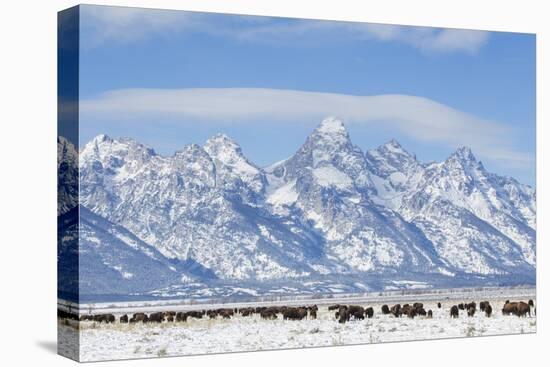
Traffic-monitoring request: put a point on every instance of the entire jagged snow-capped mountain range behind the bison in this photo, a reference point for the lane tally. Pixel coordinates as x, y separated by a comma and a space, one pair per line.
329, 218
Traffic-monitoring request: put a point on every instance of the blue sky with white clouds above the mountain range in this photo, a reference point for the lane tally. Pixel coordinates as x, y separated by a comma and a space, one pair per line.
170, 78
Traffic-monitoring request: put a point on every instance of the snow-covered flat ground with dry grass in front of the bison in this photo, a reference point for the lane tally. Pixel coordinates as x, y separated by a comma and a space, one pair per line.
124, 341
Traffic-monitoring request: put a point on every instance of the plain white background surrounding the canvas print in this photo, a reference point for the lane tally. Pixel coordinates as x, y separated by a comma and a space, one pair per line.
28, 180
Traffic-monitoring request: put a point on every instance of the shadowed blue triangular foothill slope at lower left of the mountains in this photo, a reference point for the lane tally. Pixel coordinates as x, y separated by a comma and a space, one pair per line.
111, 260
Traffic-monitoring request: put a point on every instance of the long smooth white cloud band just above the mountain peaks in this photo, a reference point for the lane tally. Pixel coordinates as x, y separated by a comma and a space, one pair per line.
419, 118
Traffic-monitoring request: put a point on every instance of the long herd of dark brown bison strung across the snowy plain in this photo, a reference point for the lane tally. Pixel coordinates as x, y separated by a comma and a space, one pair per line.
343, 313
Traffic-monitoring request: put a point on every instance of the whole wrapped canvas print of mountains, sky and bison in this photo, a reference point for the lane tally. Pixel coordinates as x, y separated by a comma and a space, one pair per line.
233, 183
